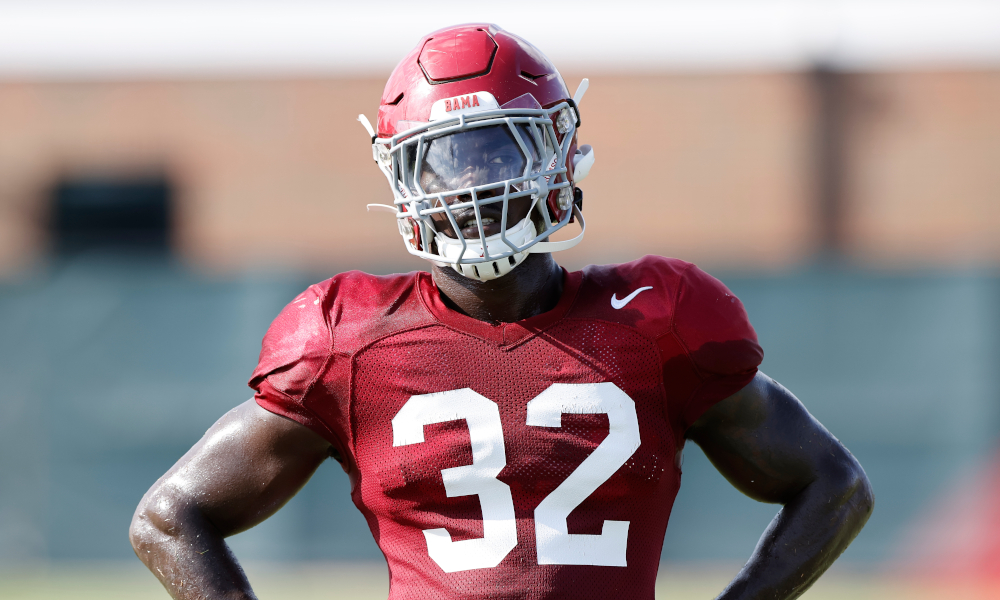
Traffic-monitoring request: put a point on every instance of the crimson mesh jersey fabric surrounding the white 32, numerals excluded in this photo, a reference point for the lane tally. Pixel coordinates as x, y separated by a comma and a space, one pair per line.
671, 369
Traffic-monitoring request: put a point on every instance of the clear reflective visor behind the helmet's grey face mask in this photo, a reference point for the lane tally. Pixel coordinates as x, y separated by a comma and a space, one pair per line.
478, 156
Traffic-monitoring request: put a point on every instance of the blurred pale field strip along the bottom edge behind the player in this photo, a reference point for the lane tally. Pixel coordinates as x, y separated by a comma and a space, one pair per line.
365, 581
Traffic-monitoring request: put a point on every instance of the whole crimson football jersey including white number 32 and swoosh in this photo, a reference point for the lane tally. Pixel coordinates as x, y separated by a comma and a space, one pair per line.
534, 459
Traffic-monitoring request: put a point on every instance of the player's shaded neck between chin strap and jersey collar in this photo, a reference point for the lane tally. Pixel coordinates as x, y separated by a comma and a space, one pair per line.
532, 288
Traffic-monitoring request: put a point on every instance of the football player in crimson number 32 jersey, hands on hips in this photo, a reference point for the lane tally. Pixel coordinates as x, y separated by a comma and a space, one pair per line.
510, 429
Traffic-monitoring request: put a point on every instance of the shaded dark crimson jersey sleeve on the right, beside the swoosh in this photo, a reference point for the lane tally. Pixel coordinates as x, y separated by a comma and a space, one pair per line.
713, 328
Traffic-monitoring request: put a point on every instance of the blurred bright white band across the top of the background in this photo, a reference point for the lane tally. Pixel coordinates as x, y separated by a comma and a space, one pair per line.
137, 38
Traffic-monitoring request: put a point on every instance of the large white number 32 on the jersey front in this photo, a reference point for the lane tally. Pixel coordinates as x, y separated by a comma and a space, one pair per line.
555, 545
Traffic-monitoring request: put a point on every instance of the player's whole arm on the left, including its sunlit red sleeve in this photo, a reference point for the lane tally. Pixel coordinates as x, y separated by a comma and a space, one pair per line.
249, 464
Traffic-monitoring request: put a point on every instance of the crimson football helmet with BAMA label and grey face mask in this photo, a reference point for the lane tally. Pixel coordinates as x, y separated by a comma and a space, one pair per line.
476, 128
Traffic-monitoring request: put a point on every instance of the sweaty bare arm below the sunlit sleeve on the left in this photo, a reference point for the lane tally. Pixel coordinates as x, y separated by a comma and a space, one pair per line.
243, 470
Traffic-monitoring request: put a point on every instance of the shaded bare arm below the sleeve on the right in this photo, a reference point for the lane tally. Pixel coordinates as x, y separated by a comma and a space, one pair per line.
764, 441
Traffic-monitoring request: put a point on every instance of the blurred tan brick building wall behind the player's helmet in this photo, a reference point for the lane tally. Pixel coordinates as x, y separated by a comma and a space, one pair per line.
731, 170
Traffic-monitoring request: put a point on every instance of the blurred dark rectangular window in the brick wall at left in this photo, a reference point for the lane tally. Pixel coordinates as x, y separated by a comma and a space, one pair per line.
106, 214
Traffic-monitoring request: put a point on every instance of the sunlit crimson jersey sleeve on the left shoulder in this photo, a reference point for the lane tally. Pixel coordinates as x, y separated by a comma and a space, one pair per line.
293, 355
